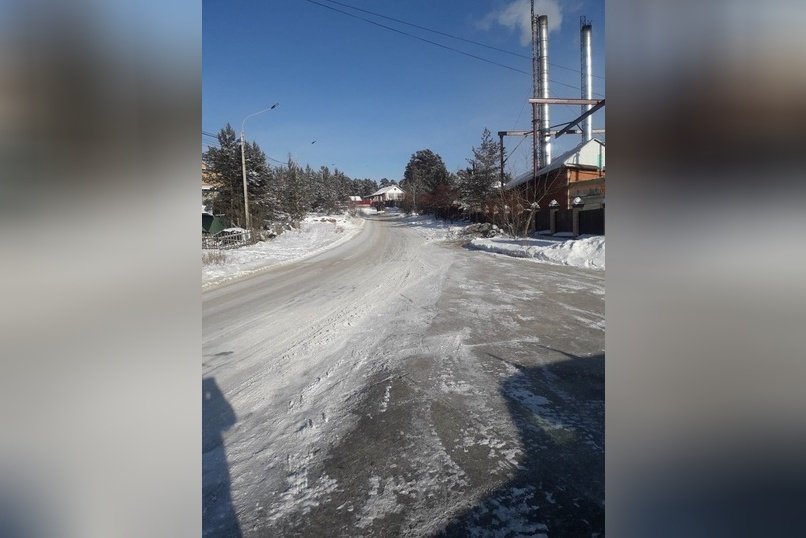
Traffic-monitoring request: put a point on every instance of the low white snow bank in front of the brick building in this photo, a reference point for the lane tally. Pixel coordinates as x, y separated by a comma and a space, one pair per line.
588, 252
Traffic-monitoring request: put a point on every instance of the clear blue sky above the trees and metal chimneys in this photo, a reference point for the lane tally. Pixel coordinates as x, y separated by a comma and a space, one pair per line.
371, 97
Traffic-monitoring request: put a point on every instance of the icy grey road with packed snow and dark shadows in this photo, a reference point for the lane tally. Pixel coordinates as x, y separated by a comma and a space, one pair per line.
396, 386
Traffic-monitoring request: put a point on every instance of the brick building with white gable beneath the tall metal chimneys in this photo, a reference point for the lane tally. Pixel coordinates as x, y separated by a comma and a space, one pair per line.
579, 171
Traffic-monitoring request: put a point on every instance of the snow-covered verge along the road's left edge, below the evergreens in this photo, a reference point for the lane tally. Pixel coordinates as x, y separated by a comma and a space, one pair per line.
315, 234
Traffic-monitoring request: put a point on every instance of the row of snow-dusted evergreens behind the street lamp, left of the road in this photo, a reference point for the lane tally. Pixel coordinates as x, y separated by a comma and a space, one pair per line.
276, 193
